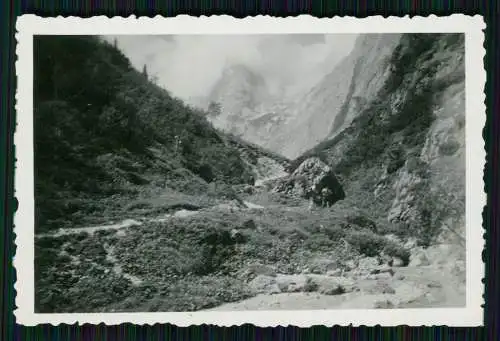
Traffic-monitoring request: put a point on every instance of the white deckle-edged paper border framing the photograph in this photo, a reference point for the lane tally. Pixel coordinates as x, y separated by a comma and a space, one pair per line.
471, 315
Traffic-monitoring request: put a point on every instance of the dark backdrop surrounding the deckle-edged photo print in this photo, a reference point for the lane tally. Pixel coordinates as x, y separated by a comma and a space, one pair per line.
9, 11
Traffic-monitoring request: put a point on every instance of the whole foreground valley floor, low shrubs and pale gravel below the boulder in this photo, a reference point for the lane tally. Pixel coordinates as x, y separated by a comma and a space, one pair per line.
262, 252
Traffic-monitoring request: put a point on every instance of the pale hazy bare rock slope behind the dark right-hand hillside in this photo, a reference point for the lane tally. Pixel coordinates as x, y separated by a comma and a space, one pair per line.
331, 103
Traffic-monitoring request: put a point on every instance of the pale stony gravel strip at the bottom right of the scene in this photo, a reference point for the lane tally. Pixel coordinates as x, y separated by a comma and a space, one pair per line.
433, 285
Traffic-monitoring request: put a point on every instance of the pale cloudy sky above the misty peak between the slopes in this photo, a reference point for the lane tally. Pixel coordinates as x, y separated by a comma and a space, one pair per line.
188, 65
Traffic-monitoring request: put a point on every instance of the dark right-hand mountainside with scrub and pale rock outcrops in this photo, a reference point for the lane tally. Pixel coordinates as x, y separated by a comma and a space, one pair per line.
402, 156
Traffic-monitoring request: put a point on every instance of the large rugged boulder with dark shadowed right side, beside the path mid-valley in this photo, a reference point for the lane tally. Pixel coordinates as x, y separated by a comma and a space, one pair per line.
313, 179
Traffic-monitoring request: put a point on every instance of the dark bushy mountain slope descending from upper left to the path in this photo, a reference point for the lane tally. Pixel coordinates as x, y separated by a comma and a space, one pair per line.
103, 129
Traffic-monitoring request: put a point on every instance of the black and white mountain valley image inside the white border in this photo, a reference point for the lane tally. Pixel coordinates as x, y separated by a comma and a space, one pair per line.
250, 172
